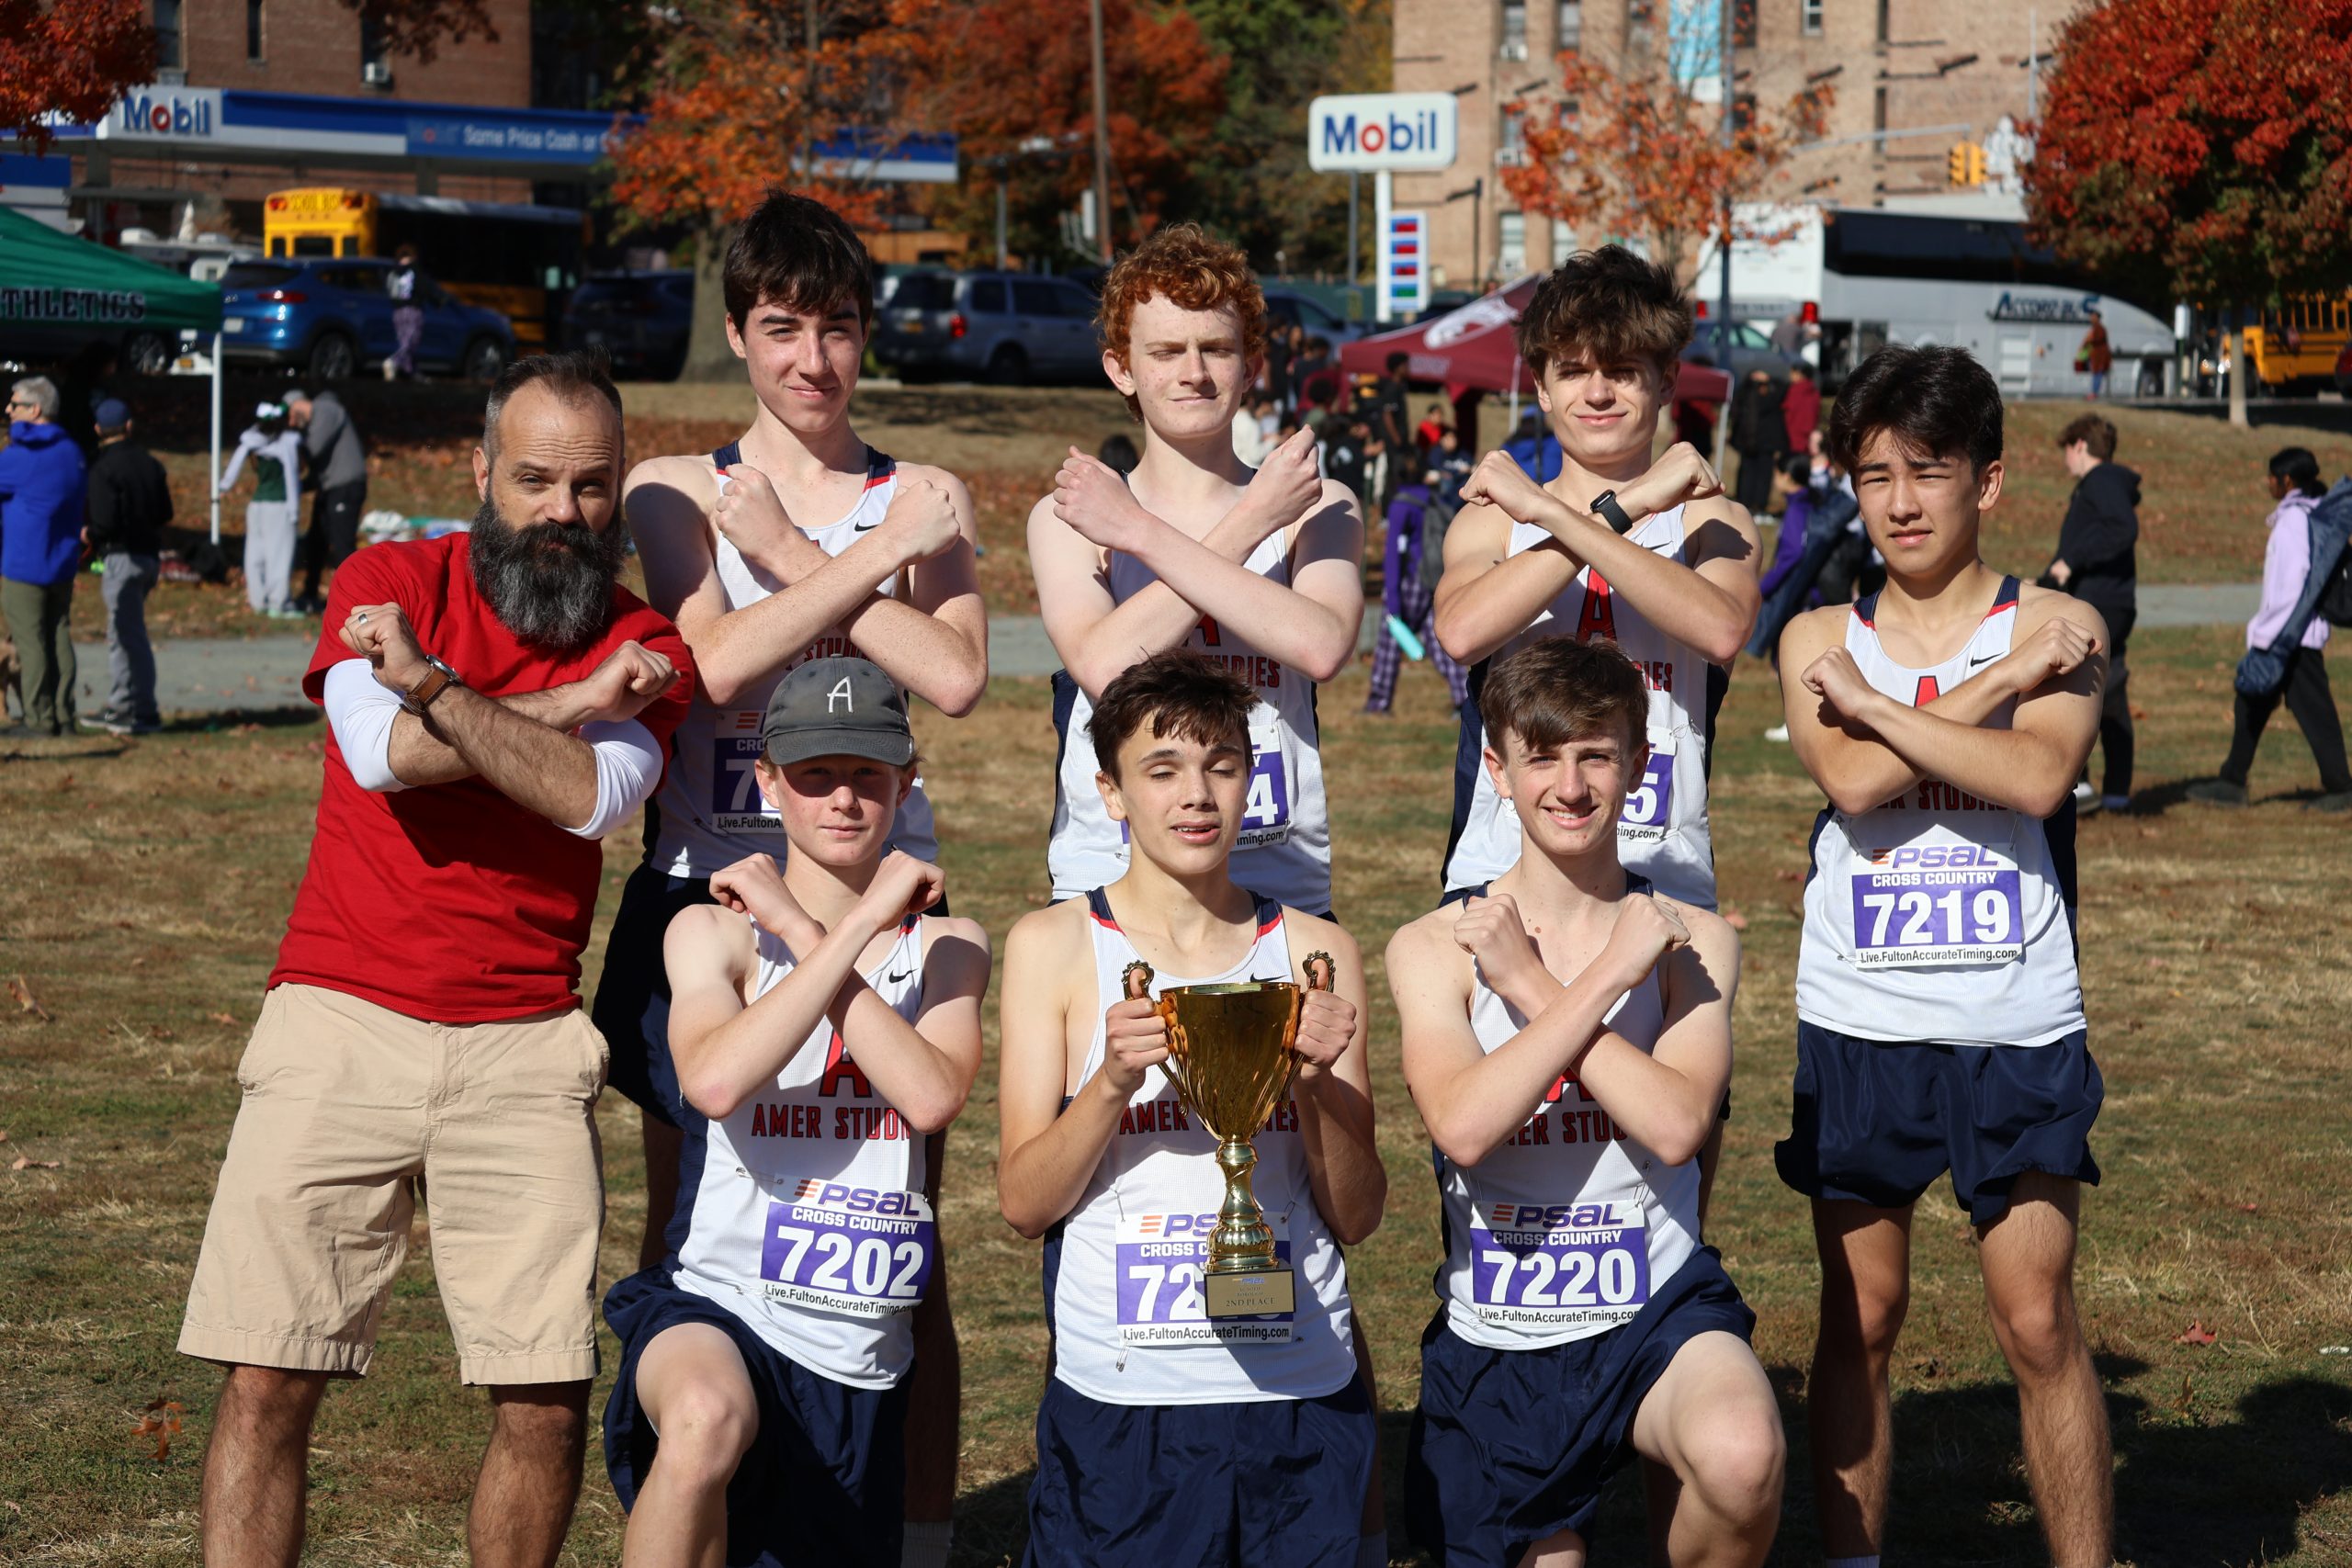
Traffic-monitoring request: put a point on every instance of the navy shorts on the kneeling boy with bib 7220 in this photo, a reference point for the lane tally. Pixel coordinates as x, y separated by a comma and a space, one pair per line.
1514, 1447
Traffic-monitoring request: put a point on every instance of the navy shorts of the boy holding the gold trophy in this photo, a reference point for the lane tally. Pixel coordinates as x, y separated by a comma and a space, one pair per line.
1165, 1487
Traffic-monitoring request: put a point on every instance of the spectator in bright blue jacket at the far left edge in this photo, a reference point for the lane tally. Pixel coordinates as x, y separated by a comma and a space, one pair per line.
44, 488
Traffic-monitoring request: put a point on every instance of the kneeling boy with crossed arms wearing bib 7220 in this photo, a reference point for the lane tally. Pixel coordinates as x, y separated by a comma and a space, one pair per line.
1568, 1040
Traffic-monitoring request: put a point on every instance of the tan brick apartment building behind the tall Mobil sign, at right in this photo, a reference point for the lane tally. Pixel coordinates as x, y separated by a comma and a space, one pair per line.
1899, 69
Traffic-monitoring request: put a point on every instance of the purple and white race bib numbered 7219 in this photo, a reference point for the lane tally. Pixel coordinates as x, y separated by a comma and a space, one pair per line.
1937, 902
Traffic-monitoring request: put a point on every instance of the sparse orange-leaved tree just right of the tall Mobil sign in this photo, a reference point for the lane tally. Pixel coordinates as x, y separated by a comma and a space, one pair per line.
1629, 149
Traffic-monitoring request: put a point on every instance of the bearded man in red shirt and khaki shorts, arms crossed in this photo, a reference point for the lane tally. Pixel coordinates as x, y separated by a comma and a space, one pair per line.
497, 704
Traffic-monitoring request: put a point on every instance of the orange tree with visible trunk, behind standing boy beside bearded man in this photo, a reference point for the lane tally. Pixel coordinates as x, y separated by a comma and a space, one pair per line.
744, 98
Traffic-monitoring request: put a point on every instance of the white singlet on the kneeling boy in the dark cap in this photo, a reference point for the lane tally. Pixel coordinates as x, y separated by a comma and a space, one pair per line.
803, 1212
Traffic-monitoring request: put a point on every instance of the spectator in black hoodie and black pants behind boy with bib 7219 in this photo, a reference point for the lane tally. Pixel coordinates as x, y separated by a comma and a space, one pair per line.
2097, 563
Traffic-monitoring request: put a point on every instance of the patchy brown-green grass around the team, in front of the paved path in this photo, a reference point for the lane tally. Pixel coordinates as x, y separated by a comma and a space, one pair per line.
149, 885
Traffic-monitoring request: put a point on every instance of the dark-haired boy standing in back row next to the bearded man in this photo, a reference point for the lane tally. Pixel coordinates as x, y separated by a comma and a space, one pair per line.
794, 542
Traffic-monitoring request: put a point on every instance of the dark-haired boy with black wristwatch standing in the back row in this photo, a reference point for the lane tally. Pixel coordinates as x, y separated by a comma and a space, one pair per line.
1648, 556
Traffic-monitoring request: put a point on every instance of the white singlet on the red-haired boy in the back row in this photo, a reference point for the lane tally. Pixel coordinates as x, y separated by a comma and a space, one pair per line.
1285, 845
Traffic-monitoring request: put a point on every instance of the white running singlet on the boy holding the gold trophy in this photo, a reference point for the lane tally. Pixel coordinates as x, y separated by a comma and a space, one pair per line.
1123, 1273
